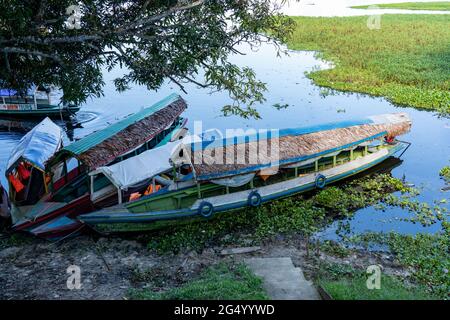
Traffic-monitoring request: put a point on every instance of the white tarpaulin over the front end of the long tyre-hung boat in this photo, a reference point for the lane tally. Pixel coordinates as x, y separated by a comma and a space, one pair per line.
139, 168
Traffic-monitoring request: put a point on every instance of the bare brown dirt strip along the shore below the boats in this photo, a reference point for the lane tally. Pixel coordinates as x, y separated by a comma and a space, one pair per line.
111, 267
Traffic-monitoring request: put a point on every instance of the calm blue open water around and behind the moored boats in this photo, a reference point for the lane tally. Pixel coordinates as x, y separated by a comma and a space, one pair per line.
307, 105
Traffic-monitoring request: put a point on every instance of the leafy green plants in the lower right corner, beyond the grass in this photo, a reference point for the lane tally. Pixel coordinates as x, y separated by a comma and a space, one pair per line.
426, 255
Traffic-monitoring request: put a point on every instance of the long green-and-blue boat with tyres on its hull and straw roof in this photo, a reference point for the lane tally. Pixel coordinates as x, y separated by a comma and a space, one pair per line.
188, 183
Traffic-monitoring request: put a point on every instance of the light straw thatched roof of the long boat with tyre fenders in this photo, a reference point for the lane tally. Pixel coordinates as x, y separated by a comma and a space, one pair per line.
291, 148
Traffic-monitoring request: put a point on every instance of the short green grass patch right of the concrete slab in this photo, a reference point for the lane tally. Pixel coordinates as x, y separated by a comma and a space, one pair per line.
347, 283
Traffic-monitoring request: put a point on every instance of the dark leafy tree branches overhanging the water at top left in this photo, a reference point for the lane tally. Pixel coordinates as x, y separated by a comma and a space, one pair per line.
68, 44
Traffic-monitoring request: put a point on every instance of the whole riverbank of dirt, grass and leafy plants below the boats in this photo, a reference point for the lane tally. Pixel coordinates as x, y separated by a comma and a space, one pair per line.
189, 261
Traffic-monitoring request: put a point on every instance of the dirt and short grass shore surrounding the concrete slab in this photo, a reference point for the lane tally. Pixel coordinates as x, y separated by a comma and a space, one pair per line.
125, 269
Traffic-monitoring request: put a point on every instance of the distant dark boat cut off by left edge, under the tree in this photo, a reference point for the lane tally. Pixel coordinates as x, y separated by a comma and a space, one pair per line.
34, 104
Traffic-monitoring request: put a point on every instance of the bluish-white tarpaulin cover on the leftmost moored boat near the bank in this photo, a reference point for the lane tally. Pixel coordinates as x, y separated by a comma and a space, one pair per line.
38, 145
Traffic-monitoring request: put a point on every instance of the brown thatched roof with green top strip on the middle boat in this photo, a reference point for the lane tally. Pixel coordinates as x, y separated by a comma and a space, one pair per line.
102, 147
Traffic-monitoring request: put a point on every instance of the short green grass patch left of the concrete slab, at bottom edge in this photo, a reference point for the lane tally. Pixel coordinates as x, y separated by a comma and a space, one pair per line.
219, 282
